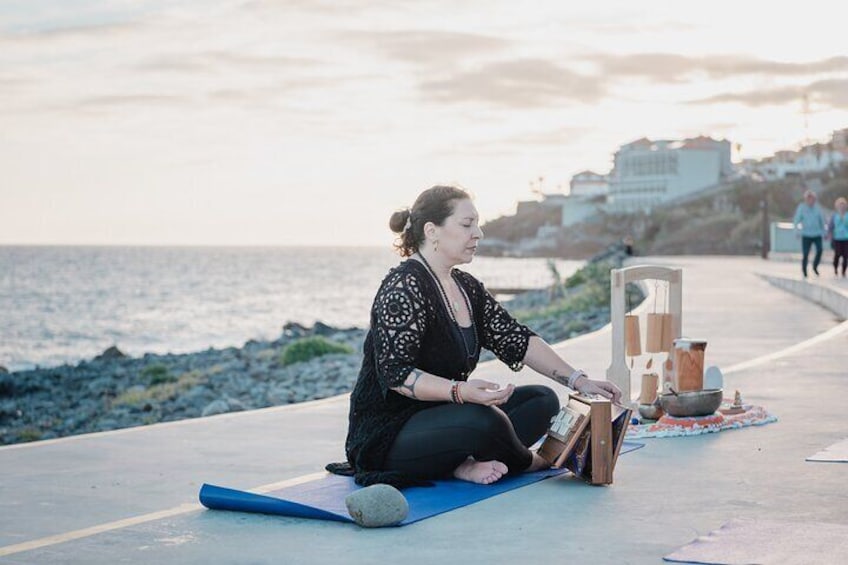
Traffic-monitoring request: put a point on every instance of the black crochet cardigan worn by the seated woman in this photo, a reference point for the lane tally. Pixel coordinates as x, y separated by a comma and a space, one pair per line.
411, 328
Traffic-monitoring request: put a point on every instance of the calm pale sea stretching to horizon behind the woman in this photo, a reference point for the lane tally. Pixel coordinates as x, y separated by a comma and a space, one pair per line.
64, 304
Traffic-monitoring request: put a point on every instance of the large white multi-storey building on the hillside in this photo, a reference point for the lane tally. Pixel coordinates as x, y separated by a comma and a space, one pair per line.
646, 173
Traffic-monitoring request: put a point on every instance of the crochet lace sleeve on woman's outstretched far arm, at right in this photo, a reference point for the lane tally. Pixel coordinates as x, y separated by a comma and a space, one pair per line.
502, 334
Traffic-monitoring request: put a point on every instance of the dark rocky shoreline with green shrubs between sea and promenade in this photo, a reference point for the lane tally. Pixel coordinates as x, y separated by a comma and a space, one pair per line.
113, 391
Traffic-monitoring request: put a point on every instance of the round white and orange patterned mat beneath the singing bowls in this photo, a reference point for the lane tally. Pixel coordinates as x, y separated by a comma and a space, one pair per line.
669, 426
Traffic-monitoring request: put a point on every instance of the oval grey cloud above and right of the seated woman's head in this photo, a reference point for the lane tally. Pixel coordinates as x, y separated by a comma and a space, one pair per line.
520, 83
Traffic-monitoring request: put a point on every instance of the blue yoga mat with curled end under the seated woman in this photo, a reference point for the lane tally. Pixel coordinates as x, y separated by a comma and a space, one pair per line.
323, 498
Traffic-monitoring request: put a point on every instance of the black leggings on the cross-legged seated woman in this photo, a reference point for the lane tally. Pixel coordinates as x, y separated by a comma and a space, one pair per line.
437, 440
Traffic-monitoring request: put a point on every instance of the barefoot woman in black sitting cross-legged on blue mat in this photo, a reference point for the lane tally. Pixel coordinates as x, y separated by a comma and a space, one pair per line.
416, 412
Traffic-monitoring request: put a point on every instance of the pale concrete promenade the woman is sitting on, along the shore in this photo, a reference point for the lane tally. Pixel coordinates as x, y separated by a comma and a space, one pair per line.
130, 496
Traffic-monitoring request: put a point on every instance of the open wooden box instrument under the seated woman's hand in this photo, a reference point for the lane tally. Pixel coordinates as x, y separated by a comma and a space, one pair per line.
586, 437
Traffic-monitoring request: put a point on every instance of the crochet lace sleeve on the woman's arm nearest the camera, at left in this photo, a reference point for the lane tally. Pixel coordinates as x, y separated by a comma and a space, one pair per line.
399, 320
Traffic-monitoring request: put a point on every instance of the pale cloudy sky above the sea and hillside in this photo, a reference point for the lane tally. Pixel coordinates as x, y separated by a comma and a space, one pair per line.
308, 122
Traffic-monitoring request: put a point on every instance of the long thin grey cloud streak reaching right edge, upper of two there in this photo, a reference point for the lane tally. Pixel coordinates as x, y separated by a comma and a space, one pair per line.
669, 67
